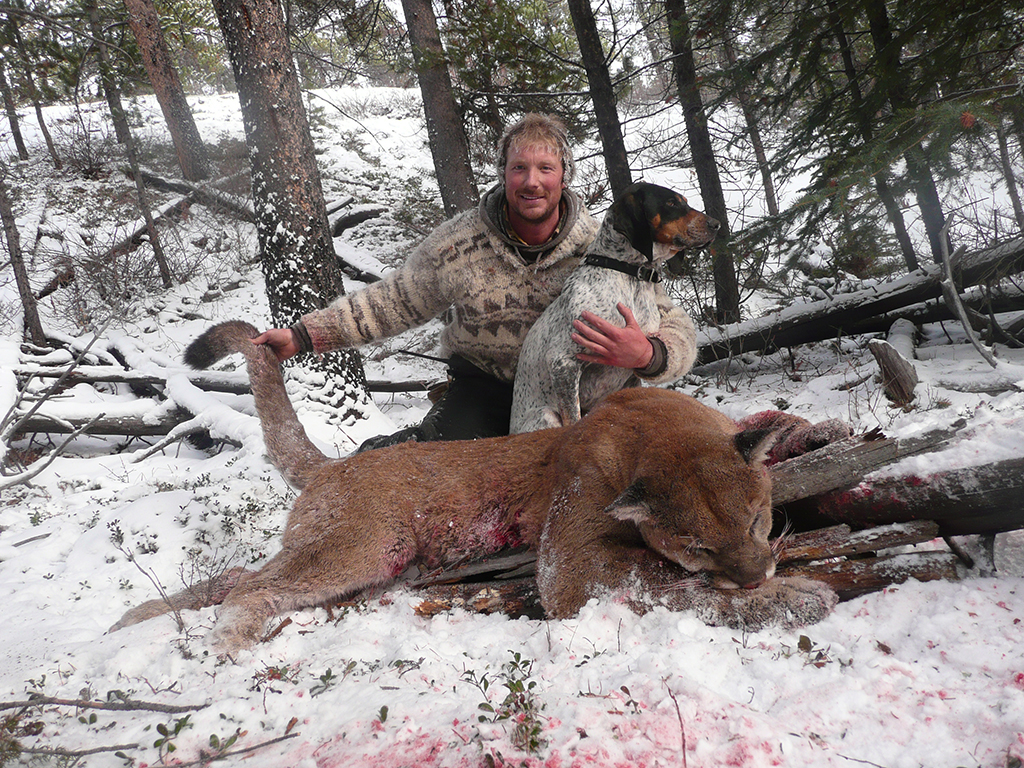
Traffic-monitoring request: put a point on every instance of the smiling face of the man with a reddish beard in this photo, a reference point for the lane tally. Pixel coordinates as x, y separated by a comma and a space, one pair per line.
533, 187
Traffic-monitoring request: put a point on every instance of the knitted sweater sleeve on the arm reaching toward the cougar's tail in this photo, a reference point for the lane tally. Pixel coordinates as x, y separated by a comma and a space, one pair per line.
406, 298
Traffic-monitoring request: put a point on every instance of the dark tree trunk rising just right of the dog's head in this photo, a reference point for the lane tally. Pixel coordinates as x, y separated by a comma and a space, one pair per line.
727, 286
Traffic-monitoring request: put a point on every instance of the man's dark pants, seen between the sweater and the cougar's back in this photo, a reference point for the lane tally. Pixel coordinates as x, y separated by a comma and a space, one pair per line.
477, 405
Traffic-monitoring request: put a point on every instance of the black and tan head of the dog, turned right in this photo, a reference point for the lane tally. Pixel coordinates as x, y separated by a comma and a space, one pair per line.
648, 215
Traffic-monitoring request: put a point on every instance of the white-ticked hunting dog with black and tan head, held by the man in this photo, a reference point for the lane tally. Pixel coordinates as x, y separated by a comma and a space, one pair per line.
646, 227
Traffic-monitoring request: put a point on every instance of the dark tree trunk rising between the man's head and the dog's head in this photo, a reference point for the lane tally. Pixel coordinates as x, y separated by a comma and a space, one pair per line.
603, 95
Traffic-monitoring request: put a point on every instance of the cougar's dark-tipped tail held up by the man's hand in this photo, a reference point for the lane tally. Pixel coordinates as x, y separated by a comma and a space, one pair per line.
287, 443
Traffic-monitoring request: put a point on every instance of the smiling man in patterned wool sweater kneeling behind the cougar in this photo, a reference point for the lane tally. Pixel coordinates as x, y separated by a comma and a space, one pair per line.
494, 270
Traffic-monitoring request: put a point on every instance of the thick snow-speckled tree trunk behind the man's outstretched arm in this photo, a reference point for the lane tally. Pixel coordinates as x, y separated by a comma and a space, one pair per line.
296, 250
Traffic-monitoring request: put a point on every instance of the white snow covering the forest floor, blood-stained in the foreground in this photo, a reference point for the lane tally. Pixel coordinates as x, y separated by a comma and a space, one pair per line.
918, 675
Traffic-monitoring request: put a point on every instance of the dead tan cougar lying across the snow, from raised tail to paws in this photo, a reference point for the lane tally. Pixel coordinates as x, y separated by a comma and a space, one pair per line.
649, 489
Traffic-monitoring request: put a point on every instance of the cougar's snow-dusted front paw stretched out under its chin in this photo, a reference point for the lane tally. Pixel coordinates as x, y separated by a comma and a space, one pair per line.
779, 603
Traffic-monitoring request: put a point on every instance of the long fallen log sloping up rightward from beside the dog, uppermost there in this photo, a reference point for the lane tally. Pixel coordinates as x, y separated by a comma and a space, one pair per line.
831, 318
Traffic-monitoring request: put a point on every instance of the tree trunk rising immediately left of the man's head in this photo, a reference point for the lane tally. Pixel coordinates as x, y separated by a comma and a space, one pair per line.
446, 133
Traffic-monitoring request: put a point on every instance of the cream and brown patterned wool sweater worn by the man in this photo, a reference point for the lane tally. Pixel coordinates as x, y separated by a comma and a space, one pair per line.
471, 268
